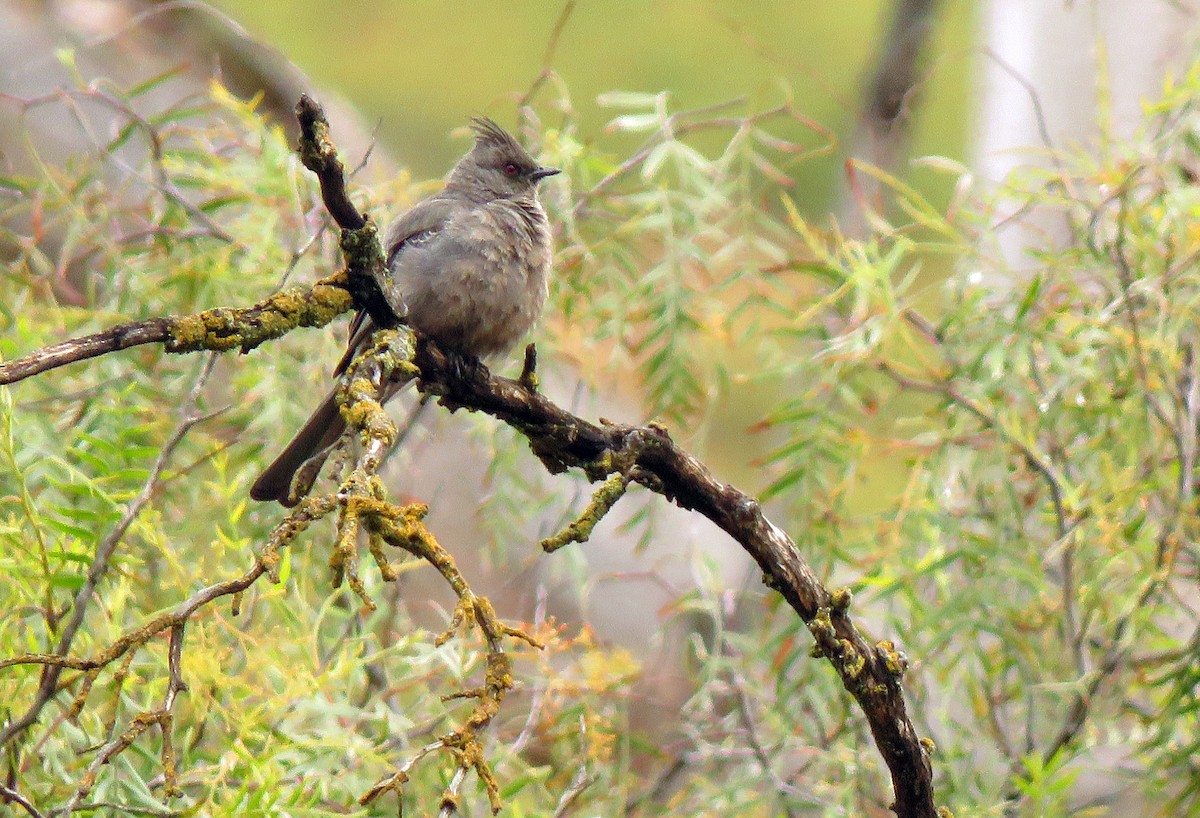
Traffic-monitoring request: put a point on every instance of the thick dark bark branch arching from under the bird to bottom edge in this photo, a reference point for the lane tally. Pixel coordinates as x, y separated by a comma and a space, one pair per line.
872, 673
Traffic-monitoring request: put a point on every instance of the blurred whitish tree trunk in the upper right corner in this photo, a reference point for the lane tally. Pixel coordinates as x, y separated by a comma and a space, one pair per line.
1057, 74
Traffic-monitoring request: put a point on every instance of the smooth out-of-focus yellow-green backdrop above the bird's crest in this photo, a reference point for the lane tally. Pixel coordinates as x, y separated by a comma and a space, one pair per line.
423, 68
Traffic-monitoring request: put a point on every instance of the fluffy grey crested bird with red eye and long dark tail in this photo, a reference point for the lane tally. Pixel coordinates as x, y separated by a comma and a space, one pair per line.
470, 268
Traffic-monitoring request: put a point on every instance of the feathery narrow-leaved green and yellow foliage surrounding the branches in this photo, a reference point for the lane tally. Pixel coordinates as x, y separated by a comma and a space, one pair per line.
1039, 570
